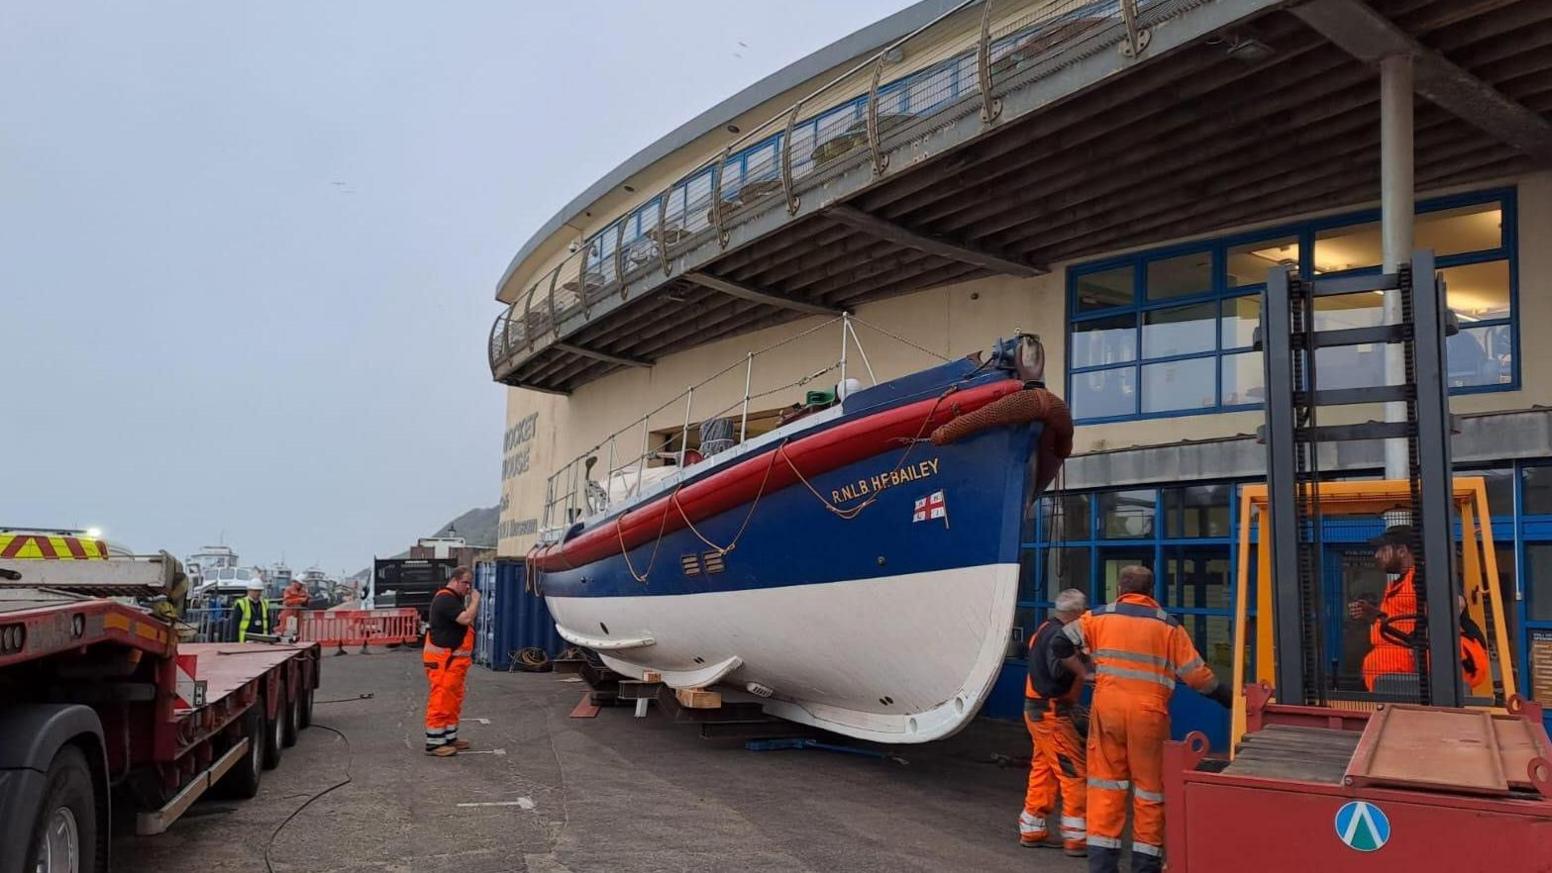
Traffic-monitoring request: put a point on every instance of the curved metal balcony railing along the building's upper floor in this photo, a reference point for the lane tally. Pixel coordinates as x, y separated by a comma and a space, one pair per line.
960, 63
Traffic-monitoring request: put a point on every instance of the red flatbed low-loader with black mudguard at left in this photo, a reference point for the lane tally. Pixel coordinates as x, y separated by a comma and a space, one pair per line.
108, 717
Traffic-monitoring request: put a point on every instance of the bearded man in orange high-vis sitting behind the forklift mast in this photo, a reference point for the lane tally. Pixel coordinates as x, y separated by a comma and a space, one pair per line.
1398, 611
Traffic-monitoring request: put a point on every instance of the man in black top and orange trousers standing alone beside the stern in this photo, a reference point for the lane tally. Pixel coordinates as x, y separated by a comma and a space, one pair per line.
448, 655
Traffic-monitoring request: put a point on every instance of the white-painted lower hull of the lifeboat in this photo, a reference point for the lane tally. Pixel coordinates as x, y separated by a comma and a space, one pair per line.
929, 644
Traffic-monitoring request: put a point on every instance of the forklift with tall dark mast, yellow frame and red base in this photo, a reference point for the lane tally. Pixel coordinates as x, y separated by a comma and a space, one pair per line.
1332, 767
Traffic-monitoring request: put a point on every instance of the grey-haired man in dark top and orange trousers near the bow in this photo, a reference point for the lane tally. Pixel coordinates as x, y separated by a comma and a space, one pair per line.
1056, 726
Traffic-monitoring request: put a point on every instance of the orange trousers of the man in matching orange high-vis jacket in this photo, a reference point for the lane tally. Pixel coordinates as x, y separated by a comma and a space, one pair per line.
1126, 753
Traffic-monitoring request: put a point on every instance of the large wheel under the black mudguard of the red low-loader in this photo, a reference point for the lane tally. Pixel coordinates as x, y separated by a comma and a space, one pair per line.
66, 833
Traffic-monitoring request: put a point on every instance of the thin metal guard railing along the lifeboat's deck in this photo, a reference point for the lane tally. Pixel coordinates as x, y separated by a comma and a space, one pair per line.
575, 493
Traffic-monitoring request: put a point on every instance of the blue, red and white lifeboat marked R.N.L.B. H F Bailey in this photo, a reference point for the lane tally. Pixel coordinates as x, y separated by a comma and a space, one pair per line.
854, 569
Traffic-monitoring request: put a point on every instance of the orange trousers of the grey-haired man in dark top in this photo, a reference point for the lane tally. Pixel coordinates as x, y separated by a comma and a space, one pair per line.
1058, 762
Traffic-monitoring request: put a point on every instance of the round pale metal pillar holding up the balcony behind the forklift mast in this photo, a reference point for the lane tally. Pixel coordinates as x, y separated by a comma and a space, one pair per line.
1398, 209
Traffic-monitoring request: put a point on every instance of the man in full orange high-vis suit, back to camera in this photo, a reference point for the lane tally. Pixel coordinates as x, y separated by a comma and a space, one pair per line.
1138, 655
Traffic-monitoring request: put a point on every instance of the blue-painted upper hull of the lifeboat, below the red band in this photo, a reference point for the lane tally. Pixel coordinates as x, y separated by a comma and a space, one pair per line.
792, 540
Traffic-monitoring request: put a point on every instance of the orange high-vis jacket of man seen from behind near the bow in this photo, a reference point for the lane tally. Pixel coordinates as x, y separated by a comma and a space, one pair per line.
1138, 650
